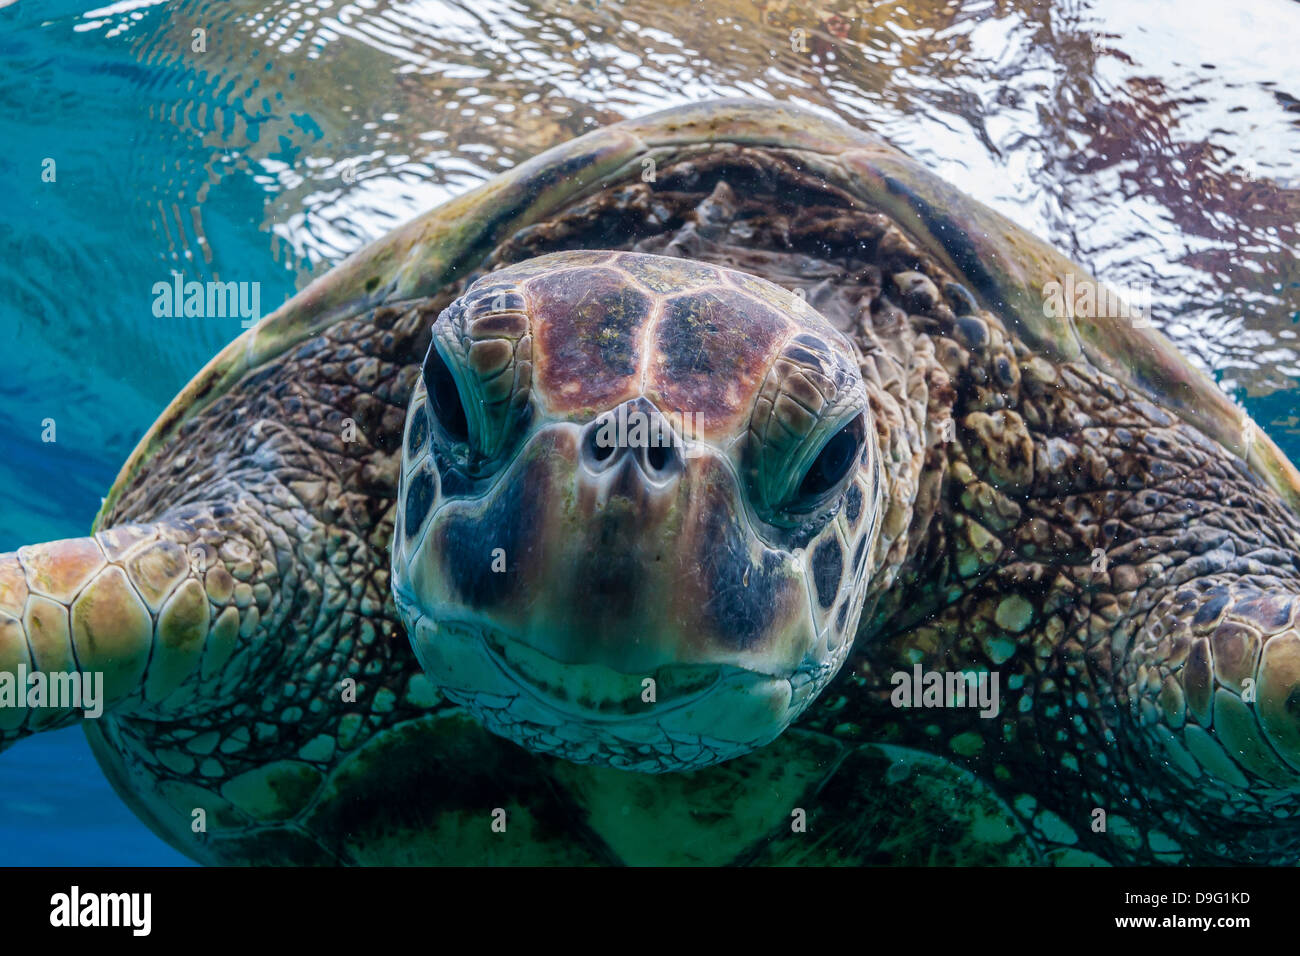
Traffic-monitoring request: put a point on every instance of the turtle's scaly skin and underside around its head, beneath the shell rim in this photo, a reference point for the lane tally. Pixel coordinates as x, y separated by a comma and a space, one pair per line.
1004, 471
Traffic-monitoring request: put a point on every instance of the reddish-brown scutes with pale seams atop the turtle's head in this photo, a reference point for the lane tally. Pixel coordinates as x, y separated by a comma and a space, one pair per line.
610, 327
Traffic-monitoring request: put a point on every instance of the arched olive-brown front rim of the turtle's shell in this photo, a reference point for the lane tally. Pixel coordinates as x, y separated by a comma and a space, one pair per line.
1009, 270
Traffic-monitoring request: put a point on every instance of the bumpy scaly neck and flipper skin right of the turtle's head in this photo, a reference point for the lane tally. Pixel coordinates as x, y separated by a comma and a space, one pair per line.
1123, 689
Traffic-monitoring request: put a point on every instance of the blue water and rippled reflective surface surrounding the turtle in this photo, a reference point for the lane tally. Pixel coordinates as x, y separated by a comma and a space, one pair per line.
1158, 144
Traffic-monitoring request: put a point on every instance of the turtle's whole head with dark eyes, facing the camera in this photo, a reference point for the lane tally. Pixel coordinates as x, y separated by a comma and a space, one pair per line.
638, 508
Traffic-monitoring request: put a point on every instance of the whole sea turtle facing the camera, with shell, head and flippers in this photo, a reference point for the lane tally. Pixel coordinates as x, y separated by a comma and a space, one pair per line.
744, 447
